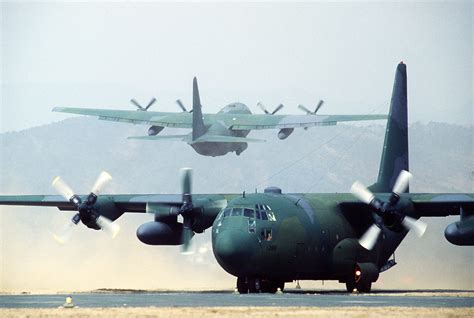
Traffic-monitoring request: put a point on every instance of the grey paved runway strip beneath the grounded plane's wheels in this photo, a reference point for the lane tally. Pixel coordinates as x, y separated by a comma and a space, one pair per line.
434, 299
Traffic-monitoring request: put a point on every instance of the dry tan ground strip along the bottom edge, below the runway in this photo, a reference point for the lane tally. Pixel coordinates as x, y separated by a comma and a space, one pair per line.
263, 312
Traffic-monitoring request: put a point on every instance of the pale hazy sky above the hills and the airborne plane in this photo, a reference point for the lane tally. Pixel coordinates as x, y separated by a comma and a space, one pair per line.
103, 54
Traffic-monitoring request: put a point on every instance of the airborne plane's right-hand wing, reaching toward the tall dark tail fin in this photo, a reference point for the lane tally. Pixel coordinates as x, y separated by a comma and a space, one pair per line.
257, 121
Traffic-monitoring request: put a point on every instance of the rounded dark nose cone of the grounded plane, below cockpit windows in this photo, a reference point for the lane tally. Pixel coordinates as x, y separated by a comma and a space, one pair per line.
233, 249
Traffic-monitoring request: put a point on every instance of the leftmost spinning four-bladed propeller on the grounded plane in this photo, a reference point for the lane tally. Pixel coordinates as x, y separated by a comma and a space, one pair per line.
86, 211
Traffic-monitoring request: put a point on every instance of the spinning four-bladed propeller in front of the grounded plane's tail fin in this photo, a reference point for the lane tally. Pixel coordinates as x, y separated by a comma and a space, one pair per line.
388, 212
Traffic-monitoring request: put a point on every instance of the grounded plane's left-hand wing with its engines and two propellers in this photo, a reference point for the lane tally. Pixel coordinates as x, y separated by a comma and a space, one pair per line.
99, 211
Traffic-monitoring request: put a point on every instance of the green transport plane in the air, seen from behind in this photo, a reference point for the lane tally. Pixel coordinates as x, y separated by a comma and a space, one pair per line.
216, 134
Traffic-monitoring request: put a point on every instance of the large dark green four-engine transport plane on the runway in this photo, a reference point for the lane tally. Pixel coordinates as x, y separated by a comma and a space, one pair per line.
267, 239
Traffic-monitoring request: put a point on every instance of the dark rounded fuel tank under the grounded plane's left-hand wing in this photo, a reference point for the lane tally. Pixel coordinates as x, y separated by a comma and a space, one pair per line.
160, 233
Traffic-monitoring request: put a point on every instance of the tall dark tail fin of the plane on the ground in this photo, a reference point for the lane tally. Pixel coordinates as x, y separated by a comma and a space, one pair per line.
395, 149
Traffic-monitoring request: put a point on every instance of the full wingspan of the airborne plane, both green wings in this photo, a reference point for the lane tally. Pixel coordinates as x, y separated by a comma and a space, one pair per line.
232, 121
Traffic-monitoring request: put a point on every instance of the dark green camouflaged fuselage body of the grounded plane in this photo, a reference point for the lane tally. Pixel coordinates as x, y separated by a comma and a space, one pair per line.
313, 236
